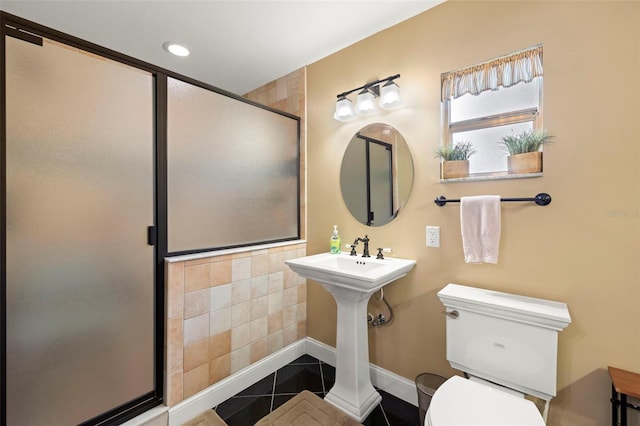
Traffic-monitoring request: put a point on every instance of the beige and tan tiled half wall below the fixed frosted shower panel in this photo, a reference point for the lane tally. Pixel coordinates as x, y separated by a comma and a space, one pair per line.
227, 310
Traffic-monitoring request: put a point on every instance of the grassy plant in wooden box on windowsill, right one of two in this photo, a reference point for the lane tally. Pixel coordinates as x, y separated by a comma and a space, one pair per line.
524, 151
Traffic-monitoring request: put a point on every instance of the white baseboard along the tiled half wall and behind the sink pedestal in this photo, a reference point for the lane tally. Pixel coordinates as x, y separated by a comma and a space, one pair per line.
193, 406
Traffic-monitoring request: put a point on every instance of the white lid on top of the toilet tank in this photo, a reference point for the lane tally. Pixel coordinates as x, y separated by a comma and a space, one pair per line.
545, 313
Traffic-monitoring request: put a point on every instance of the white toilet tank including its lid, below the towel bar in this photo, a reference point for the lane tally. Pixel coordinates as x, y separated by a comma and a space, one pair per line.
505, 338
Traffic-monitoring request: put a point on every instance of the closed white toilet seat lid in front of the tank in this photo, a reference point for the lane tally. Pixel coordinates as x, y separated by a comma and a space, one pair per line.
460, 402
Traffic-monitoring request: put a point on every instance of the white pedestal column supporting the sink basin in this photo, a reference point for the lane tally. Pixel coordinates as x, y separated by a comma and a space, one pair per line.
352, 391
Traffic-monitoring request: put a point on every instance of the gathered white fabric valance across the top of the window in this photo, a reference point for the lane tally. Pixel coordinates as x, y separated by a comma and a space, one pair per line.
522, 66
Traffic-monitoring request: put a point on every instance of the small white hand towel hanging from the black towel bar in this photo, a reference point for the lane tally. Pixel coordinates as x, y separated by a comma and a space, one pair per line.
480, 226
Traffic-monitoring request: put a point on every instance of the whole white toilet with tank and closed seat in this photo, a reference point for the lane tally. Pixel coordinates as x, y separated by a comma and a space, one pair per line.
507, 346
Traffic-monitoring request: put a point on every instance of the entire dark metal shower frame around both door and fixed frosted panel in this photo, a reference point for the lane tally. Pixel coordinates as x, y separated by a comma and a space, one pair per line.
157, 232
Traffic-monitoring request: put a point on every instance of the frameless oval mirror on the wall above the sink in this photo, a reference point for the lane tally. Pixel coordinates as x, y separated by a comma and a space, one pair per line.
376, 174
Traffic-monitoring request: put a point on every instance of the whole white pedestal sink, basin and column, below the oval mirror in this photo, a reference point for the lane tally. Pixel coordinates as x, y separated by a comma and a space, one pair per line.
352, 280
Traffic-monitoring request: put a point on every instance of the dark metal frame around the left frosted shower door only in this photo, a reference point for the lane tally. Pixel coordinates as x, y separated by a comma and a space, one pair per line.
13, 26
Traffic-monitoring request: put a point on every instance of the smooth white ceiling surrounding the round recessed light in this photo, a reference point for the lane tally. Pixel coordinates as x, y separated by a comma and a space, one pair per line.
237, 45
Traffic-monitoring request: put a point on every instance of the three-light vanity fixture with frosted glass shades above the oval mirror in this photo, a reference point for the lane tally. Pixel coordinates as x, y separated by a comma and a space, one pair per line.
389, 95
